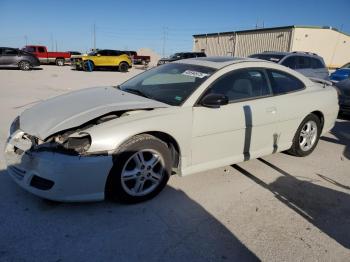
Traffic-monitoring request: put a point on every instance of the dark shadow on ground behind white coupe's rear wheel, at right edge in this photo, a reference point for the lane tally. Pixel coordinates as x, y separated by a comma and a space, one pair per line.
341, 131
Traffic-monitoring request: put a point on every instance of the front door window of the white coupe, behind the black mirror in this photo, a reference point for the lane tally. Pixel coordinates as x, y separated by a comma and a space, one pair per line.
242, 85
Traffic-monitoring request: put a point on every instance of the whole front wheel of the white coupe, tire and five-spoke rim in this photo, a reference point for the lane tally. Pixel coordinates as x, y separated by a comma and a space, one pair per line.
133, 180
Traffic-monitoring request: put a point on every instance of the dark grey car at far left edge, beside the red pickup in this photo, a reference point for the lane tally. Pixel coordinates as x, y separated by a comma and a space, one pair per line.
13, 57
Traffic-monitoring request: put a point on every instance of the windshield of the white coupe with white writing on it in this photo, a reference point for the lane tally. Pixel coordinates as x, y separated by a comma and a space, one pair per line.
170, 83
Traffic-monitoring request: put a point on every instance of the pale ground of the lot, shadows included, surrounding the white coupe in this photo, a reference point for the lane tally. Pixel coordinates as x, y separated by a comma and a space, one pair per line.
279, 208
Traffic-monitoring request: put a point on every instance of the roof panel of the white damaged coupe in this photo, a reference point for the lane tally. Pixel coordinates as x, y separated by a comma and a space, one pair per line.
218, 62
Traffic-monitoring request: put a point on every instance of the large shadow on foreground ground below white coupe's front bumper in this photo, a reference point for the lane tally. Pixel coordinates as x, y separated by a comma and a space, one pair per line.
171, 227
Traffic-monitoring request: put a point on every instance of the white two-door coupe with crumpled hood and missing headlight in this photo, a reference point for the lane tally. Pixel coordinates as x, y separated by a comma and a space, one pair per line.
185, 117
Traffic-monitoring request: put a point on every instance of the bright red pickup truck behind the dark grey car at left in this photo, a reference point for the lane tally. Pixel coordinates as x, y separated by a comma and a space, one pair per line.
45, 57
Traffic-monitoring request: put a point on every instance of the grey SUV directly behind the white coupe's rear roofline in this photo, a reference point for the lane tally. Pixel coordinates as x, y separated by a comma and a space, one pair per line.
308, 64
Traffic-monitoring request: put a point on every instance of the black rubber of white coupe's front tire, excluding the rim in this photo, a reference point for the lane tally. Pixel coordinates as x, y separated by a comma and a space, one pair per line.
114, 188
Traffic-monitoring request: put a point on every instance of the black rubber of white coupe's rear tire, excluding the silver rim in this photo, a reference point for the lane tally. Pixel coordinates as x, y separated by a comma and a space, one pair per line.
296, 150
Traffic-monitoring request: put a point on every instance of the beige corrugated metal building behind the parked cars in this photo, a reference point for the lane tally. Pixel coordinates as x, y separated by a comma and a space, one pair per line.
328, 42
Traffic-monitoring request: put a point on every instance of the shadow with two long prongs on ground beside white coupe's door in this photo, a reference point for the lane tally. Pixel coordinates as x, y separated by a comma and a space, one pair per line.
326, 208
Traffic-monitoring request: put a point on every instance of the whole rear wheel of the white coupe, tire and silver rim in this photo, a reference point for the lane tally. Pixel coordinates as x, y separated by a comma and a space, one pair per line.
306, 138
